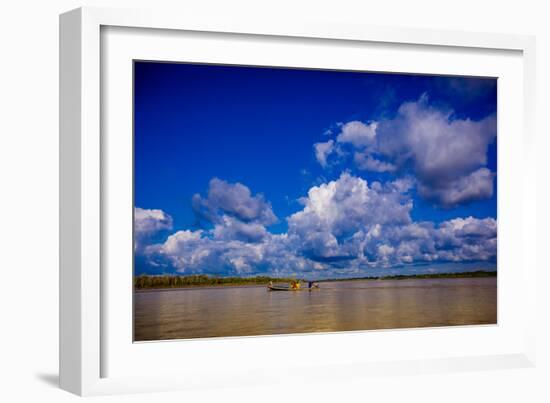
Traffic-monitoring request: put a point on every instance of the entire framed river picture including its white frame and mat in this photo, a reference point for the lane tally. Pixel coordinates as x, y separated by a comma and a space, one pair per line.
233, 194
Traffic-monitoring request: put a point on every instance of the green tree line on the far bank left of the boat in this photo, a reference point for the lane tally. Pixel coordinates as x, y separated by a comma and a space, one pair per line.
174, 281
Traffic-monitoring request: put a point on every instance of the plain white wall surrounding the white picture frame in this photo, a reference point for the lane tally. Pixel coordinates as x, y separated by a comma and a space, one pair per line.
29, 197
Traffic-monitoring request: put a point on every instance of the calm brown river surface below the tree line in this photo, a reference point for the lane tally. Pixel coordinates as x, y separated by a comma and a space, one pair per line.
336, 306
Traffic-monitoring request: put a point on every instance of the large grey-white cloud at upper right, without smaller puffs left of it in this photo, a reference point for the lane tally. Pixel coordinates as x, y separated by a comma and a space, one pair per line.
448, 155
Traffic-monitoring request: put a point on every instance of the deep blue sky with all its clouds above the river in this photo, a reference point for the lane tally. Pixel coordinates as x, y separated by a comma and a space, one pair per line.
252, 170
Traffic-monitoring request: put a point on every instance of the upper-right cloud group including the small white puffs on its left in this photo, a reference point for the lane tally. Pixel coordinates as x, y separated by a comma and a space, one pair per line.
447, 155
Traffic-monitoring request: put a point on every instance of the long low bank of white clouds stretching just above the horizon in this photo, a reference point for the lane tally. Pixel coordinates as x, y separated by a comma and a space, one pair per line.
345, 227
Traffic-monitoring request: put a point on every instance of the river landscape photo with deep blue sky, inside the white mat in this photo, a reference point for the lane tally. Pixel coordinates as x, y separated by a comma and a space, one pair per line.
275, 200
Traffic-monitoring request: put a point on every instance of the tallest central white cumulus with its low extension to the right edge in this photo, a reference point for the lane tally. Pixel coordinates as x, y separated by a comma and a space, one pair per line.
348, 221
